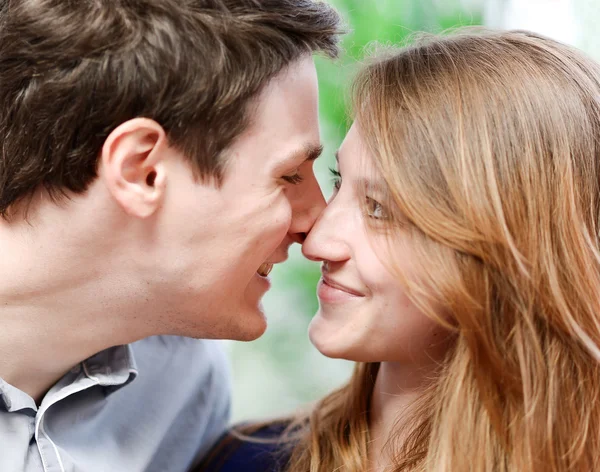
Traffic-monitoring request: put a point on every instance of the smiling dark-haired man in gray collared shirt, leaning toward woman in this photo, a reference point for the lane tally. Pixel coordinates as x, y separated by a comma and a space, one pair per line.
155, 162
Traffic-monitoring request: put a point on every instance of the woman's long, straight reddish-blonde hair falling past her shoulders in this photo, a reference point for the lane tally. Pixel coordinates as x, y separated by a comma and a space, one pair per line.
489, 143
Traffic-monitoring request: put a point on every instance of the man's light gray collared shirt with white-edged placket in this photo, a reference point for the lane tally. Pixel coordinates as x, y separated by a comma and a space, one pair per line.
153, 406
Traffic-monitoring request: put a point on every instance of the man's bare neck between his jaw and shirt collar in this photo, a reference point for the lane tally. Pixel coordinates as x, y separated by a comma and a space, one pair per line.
59, 305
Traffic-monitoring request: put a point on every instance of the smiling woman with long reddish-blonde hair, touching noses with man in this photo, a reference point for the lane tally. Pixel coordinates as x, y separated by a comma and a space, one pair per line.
461, 267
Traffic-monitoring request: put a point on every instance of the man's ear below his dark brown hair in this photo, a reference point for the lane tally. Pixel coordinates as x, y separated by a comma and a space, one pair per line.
132, 166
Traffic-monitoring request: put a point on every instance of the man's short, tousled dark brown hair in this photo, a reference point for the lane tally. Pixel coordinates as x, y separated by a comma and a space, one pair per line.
73, 70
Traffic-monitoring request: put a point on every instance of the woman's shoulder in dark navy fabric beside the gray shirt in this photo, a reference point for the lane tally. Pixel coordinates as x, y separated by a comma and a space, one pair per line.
249, 448
